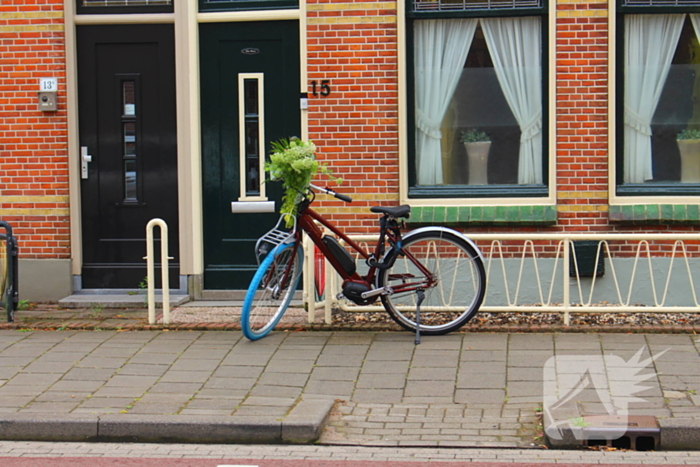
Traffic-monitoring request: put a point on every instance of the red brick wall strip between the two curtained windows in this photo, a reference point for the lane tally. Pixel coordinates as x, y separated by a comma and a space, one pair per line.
582, 115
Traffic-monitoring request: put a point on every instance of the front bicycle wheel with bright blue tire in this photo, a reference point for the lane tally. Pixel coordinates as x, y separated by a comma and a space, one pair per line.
265, 302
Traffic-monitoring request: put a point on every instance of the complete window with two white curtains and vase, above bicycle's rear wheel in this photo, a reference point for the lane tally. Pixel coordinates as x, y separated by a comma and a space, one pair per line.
479, 92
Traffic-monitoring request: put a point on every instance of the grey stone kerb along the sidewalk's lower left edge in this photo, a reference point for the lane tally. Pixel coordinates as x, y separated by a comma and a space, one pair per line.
302, 425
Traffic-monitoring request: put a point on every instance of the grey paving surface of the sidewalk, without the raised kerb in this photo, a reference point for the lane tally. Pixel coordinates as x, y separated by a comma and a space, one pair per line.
463, 389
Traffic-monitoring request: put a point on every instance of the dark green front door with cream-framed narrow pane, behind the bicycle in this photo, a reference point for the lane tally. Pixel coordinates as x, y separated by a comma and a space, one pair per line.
243, 65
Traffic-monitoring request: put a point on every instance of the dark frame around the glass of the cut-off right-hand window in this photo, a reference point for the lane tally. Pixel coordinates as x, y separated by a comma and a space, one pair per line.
635, 190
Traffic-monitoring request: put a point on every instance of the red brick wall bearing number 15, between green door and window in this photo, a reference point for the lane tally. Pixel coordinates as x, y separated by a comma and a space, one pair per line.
354, 47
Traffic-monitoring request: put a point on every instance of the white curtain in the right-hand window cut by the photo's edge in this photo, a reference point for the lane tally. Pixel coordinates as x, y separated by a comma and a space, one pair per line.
650, 42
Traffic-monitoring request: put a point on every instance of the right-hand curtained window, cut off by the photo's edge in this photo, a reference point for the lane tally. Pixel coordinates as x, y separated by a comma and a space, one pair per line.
659, 119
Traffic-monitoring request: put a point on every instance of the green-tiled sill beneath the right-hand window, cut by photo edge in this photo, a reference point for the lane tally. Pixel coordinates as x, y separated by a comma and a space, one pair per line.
655, 214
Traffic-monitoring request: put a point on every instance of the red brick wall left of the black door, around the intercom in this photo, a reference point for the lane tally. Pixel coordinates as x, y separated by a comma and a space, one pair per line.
33, 150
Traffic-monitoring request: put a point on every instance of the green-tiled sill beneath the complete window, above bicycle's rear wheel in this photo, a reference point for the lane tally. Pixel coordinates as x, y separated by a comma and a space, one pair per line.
484, 215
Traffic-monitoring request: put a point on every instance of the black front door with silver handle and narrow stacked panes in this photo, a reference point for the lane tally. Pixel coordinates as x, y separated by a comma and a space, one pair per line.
126, 88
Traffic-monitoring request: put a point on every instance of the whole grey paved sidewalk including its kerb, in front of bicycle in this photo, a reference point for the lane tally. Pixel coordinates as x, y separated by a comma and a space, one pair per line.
337, 387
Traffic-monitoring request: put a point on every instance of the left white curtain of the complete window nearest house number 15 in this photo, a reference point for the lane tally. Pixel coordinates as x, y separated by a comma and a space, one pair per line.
441, 50
